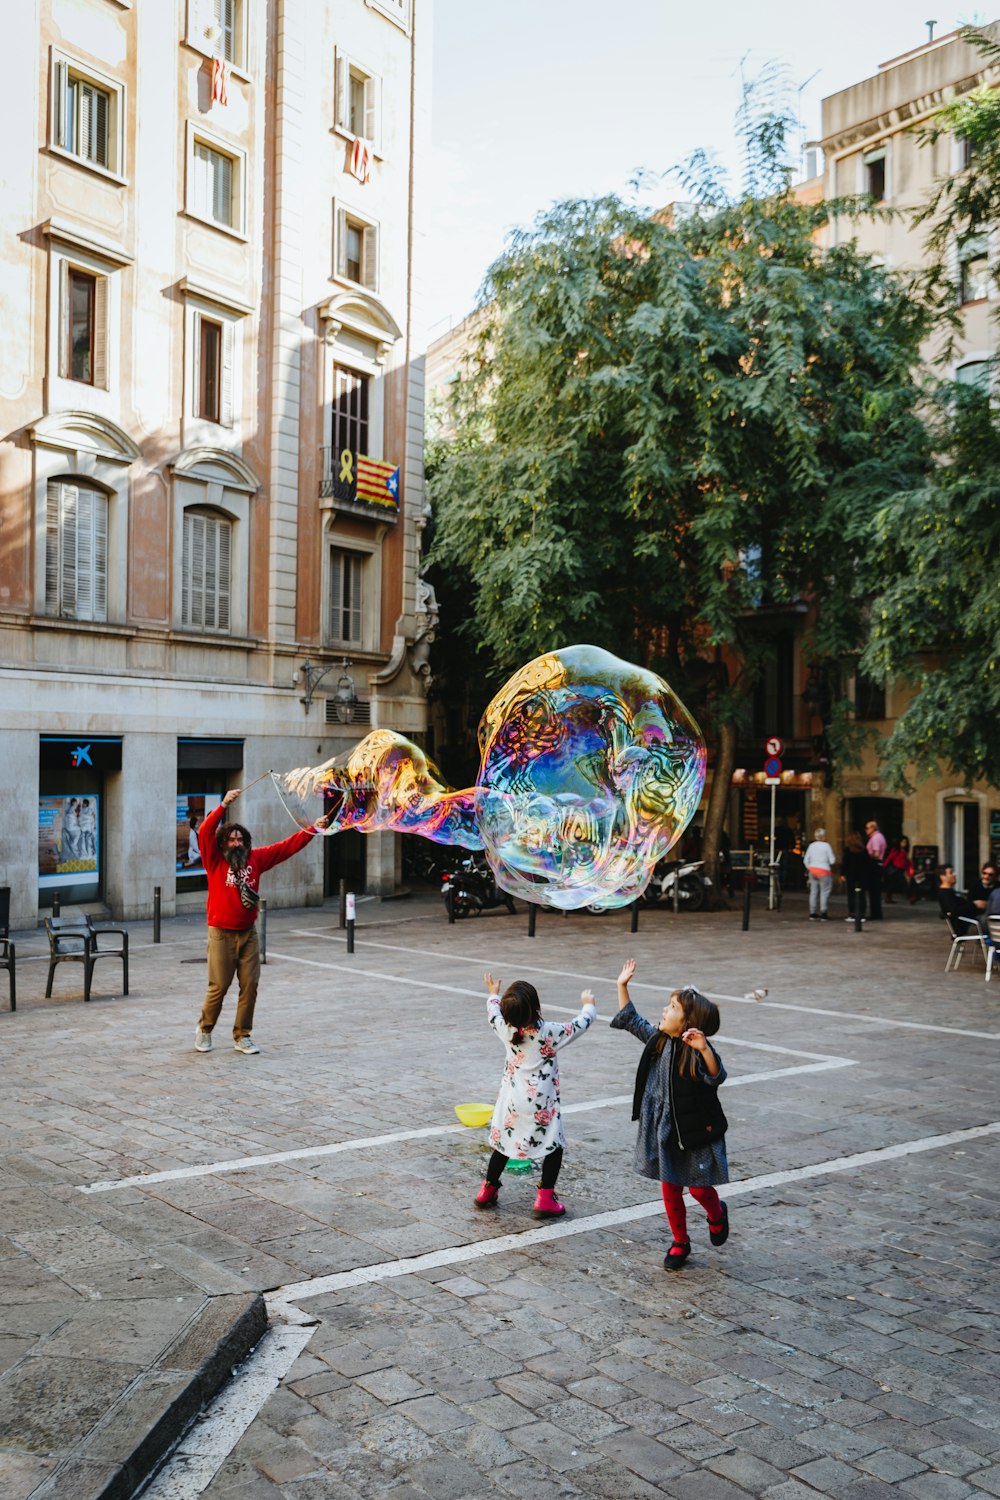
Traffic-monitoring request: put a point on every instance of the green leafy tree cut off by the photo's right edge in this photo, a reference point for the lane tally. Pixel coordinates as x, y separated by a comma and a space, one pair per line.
936, 616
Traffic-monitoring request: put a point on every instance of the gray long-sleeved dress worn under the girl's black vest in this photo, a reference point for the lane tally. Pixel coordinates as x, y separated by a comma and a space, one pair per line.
657, 1159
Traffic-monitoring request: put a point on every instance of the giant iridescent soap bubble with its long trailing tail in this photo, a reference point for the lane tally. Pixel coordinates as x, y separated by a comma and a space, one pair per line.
590, 772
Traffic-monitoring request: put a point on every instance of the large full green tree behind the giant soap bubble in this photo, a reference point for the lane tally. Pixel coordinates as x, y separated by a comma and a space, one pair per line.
675, 433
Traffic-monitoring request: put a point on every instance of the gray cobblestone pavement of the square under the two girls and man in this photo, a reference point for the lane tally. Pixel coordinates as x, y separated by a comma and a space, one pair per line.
845, 1340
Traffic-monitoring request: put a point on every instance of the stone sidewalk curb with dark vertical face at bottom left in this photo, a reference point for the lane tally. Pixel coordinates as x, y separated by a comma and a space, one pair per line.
139, 1432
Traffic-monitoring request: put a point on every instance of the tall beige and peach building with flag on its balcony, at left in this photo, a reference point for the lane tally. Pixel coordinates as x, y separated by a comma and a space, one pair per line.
211, 430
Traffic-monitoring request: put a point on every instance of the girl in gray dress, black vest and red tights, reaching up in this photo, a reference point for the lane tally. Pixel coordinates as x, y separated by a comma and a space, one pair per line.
681, 1124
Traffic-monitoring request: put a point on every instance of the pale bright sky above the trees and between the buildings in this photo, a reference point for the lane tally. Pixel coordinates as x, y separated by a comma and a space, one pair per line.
534, 101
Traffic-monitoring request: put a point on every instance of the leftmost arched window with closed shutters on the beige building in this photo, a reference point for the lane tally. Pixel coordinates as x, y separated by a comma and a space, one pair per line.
76, 551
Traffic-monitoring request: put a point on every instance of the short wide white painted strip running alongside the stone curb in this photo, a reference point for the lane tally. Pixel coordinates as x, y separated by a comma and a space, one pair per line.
206, 1447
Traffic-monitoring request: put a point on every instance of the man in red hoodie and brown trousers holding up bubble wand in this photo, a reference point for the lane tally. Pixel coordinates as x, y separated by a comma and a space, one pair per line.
235, 869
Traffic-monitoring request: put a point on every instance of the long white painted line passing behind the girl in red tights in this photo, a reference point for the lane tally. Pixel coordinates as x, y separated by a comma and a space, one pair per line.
563, 1229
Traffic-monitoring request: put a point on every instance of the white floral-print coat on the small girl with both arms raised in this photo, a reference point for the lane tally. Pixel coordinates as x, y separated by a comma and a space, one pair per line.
527, 1123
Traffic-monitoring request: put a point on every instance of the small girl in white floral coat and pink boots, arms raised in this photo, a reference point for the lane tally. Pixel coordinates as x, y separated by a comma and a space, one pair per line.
527, 1121
